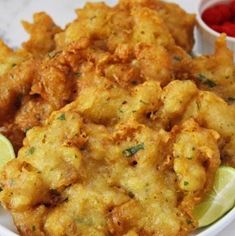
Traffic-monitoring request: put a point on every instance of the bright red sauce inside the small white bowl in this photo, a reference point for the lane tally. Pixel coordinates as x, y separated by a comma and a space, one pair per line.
221, 18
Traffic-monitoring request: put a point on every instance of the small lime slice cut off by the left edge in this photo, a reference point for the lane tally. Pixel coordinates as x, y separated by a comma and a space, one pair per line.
6, 151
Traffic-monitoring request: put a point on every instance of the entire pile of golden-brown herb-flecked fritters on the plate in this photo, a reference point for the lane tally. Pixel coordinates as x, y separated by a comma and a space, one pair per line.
124, 129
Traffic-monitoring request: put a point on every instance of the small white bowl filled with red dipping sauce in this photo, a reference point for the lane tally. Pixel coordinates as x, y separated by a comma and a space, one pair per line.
215, 17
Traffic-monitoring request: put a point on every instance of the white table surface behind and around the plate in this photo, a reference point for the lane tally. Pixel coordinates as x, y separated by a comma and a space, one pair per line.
62, 11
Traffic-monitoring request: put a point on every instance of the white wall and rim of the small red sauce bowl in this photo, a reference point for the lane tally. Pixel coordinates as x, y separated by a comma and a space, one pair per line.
205, 35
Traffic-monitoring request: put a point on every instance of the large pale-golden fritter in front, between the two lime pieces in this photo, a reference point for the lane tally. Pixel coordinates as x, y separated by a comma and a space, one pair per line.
107, 171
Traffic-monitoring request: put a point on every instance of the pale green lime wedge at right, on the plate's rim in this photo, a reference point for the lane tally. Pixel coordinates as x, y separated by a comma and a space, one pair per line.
220, 200
